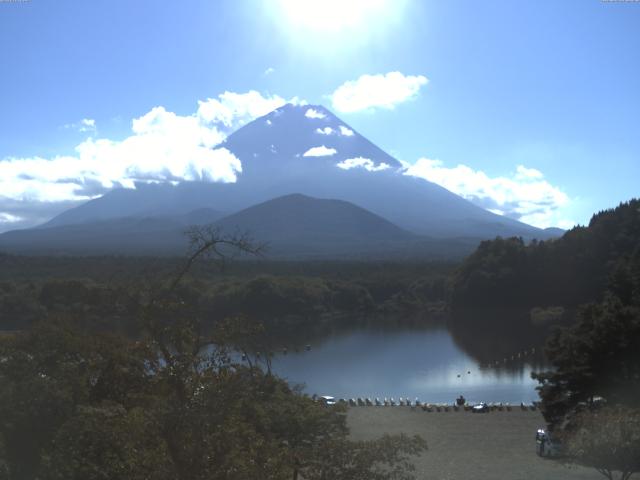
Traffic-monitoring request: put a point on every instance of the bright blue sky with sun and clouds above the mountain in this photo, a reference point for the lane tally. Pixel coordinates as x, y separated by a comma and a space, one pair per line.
528, 108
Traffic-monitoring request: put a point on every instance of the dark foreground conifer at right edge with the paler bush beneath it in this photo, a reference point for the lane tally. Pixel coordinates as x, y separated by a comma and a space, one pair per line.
591, 400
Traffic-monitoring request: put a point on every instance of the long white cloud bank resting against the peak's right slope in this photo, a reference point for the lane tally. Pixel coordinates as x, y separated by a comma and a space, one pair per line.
524, 195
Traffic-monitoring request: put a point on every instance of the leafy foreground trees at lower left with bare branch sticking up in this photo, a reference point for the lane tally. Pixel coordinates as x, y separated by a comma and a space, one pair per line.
170, 405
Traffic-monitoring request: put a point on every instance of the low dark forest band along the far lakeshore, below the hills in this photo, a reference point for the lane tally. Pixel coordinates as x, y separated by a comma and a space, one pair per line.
108, 297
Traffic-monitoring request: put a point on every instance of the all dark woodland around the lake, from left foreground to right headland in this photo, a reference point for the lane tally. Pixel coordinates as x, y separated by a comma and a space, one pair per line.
117, 367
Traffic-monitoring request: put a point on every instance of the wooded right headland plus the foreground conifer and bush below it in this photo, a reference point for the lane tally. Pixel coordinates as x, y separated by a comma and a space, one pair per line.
586, 286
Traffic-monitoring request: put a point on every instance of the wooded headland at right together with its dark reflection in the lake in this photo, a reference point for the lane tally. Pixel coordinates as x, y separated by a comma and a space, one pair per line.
508, 295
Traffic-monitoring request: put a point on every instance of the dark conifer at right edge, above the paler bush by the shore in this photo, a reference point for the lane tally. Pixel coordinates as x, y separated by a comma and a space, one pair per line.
598, 357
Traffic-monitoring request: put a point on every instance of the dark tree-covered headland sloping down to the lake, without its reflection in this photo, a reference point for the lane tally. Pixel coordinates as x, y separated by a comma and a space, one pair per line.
568, 271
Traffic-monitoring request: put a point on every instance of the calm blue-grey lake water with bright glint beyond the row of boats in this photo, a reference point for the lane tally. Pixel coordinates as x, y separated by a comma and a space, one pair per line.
414, 363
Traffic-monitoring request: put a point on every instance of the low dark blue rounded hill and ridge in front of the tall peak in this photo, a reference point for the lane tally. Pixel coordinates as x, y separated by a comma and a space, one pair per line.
292, 227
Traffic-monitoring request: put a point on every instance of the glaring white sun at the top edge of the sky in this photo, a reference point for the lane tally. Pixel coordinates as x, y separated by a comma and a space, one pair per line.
335, 15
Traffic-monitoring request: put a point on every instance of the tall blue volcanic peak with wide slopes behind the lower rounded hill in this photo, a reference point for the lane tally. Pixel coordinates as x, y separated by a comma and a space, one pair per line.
308, 150
